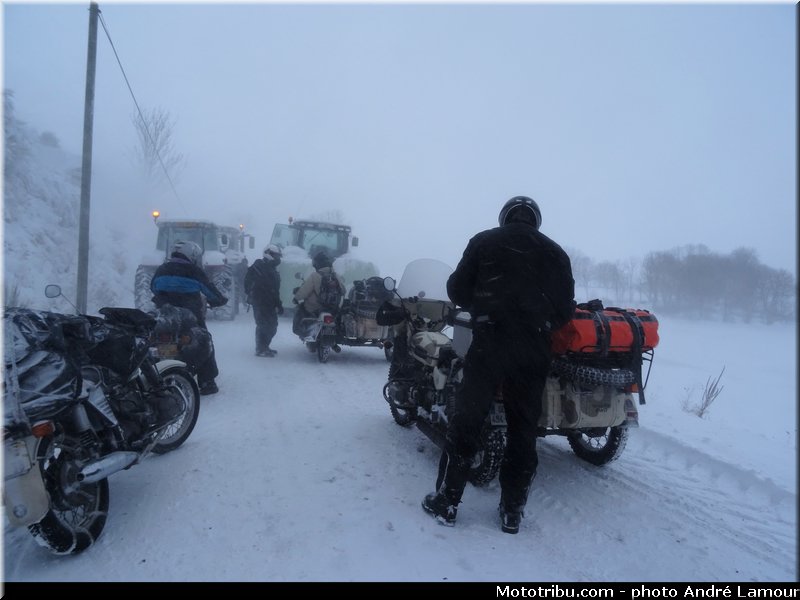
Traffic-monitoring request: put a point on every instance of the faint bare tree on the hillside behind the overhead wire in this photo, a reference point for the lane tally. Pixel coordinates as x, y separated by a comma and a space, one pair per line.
156, 154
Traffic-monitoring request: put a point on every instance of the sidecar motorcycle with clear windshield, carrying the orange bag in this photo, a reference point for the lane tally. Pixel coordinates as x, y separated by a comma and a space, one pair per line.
588, 399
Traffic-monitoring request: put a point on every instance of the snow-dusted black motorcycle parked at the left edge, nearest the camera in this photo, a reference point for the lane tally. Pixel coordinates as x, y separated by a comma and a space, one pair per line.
84, 398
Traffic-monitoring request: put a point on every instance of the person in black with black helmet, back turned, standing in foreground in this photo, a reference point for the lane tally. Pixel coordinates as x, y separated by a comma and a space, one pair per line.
517, 285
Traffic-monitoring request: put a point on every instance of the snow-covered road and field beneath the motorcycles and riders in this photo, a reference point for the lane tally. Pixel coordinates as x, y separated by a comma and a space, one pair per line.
297, 472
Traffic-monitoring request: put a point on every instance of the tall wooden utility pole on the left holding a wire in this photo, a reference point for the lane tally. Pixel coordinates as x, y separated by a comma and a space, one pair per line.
86, 169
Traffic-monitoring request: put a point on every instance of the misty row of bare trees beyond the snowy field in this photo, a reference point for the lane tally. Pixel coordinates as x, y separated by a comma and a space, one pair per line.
693, 281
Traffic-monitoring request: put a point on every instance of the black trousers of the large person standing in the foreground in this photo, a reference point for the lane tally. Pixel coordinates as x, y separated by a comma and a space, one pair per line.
516, 359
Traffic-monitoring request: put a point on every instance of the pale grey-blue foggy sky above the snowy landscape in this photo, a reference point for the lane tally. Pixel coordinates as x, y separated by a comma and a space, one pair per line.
636, 128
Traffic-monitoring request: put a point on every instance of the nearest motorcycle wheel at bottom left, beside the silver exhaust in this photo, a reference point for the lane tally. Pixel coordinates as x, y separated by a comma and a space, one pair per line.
78, 510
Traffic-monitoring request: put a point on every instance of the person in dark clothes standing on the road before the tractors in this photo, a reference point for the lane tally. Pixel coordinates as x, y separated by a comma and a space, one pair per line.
262, 284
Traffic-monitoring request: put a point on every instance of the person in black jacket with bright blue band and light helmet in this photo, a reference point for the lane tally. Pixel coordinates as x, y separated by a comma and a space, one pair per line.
181, 281
